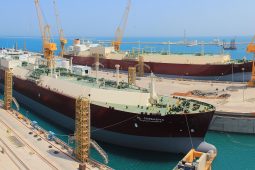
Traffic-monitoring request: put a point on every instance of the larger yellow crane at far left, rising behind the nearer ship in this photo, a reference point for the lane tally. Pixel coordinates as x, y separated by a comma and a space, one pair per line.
48, 46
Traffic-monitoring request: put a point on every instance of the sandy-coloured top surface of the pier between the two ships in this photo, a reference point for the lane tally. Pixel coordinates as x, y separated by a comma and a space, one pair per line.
238, 98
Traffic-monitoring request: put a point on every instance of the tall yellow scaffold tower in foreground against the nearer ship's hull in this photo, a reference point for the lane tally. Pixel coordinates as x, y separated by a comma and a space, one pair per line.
82, 129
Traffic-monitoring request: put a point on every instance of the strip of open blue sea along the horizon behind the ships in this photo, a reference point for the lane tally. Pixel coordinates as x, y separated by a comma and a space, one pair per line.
34, 44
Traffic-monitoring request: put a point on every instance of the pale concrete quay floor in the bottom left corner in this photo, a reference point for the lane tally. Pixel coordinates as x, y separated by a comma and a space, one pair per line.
24, 148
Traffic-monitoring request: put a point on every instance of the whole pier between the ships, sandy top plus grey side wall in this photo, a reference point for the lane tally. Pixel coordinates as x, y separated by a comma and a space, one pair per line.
234, 102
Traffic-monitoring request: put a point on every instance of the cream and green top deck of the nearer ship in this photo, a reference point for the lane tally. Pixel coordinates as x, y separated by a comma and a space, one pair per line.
125, 98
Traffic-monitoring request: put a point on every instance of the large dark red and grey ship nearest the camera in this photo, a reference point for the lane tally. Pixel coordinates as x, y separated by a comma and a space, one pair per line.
121, 113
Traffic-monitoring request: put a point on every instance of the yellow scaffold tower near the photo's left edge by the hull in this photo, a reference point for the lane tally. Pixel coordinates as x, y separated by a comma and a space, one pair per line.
8, 89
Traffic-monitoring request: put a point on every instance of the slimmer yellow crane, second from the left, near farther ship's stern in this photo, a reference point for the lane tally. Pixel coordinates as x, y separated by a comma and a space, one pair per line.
62, 39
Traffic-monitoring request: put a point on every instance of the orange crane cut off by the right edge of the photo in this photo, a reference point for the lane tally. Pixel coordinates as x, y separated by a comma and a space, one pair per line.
251, 49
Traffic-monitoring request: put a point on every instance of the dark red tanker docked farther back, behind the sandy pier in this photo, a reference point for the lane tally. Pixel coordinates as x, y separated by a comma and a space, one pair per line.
186, 65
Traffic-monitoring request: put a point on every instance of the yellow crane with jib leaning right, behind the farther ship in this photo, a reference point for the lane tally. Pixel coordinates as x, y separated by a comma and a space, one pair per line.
121, 28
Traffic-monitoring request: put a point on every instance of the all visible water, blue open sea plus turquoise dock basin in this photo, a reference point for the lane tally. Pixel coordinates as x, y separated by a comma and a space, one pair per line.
235, 151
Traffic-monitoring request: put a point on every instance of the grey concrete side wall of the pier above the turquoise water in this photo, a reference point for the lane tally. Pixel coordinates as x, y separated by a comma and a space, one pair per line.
233, 122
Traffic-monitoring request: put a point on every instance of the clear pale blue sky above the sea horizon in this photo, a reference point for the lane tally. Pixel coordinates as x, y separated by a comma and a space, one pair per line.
147, 17
